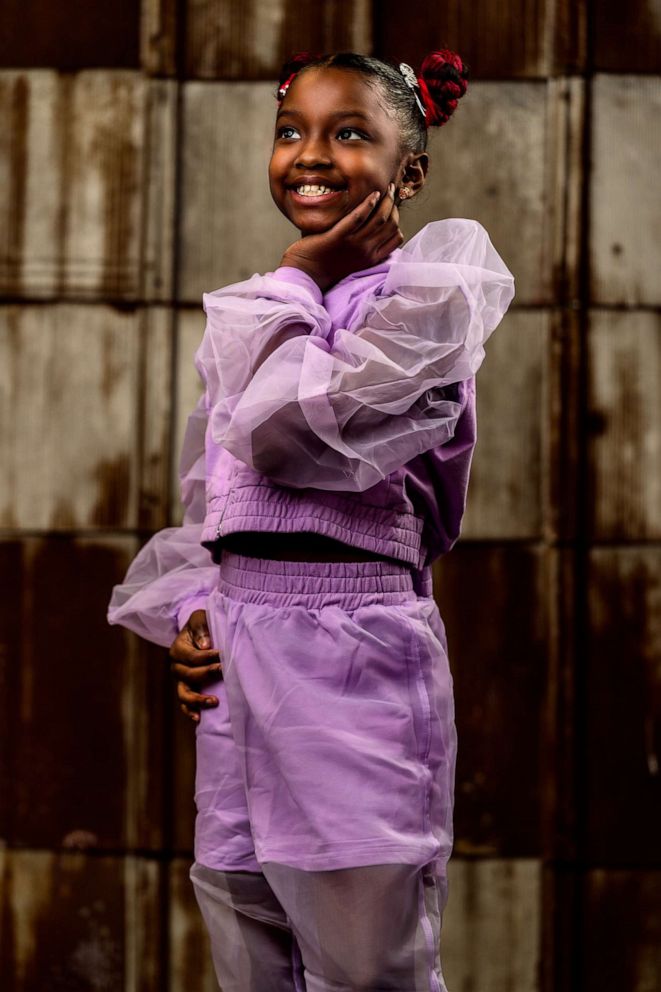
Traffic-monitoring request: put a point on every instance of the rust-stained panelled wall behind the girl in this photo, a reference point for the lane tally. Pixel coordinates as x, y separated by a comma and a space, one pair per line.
133, 159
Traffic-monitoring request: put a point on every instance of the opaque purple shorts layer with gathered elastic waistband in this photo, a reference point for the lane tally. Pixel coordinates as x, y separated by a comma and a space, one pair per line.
334, 742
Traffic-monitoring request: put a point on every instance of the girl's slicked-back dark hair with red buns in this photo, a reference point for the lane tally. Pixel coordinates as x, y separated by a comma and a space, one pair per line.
442, 81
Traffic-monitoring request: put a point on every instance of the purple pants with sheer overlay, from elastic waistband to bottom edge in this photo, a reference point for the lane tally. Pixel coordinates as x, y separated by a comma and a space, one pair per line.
325, 779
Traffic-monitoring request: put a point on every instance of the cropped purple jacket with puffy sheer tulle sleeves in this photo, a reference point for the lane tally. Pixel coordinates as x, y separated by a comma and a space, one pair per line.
349, 414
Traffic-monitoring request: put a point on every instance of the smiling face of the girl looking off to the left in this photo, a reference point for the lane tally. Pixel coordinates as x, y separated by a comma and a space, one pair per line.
331, 129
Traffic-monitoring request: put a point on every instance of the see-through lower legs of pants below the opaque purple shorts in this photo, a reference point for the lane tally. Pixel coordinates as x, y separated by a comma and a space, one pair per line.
287, 930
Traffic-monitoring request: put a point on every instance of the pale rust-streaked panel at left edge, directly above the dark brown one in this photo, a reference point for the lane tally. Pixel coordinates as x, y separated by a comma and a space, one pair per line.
74, 383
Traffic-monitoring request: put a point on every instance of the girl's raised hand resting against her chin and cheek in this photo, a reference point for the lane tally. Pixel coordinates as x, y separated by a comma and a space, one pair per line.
362, 238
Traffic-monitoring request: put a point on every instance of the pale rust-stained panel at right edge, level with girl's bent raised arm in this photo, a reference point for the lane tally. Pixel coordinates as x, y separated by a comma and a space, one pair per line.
625, 418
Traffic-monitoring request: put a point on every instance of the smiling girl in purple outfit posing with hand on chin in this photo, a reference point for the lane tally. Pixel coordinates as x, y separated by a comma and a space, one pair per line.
323, 471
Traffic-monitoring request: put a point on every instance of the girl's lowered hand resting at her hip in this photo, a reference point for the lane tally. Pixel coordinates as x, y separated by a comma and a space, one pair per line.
195, 663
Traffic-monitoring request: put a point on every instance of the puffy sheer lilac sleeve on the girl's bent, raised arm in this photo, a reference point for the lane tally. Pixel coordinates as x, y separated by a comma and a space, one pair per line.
340, 411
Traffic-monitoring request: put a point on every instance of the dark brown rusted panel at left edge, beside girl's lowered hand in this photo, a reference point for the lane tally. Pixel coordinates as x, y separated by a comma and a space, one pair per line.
85, 721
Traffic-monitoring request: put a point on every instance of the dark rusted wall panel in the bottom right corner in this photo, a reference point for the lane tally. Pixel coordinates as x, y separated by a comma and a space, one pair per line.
622, 935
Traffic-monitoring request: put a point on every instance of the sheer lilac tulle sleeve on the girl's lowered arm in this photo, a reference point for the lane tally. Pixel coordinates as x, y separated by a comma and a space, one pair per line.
172, 575
